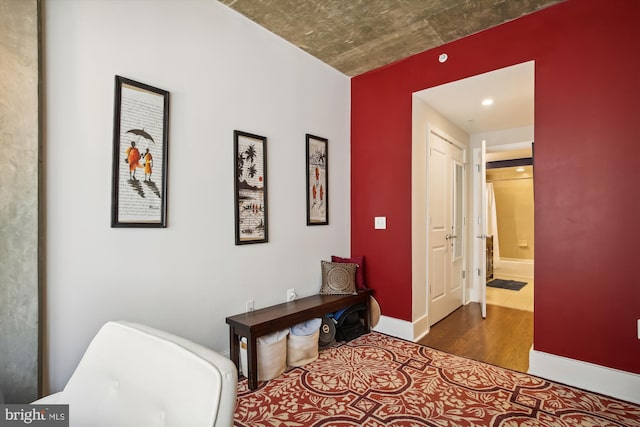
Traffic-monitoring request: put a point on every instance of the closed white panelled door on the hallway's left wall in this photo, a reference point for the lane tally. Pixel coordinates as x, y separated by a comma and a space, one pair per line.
445, 227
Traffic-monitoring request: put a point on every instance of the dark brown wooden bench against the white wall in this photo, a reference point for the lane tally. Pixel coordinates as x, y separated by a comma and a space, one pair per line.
255, 324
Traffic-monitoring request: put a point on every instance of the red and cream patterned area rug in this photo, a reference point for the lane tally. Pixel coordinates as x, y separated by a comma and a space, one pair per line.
377, 380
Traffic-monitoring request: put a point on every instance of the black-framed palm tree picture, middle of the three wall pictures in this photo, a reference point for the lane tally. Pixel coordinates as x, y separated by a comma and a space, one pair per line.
250, 152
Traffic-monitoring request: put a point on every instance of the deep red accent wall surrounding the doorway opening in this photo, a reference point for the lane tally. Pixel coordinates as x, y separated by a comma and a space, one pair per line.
587, 170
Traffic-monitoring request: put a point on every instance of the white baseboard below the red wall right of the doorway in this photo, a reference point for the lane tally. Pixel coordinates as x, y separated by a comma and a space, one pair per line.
588, 376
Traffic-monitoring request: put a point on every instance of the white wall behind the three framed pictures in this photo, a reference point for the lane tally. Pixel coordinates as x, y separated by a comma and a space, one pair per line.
224, 73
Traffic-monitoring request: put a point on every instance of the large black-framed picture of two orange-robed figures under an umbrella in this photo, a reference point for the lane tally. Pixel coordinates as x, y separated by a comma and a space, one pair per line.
140, 148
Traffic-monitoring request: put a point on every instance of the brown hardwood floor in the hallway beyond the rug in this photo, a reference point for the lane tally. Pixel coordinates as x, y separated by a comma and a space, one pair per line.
504, 338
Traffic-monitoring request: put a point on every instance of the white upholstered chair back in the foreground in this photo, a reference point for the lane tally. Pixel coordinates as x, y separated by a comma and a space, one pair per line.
134, 375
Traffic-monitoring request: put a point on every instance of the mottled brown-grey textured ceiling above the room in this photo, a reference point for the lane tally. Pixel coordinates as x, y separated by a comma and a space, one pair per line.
355, 36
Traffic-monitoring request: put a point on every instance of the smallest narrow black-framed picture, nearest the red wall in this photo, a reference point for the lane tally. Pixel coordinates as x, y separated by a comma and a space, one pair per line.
317, 180
